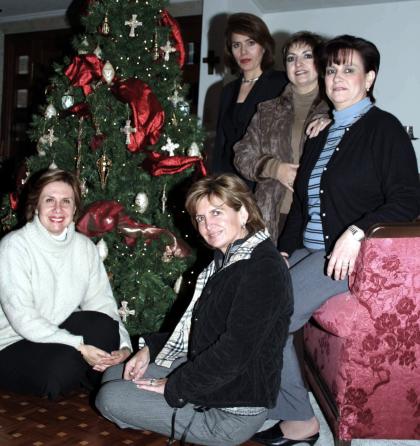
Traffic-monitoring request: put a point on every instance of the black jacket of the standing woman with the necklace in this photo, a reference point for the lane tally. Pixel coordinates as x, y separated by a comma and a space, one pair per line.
270, 84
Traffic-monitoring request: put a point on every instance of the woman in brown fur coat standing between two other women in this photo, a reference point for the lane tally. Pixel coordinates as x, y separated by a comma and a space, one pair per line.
269, 152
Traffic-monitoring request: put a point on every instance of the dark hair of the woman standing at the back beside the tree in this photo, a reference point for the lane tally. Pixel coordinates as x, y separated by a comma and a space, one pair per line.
253, 27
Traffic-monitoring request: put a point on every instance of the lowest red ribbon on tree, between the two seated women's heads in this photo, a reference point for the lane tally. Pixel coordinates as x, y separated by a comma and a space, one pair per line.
105, 216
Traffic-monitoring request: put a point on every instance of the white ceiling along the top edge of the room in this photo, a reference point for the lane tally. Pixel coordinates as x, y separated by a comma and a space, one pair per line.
16, 10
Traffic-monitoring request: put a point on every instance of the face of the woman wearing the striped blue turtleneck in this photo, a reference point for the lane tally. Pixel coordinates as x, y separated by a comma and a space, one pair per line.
347, 83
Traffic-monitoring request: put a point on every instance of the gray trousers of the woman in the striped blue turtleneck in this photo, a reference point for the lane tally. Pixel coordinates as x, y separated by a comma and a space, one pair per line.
311, 288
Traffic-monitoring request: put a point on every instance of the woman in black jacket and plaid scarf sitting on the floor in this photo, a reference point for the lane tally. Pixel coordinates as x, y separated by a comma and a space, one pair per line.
212, 380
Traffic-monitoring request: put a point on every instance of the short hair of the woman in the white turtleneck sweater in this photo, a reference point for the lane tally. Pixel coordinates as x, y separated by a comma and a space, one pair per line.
40, 179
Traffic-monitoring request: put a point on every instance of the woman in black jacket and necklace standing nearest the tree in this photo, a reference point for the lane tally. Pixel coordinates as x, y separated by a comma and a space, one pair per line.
249, 51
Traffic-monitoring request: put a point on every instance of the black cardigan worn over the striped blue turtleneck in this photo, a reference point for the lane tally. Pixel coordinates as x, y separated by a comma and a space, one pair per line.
372, 177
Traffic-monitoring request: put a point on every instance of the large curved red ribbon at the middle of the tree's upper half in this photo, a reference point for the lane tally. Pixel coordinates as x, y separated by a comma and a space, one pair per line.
148, 114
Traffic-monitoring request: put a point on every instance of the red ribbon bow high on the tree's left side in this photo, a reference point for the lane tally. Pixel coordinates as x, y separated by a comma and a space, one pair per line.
83, 70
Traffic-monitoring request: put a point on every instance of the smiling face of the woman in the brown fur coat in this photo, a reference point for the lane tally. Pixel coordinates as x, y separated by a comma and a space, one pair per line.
300, 68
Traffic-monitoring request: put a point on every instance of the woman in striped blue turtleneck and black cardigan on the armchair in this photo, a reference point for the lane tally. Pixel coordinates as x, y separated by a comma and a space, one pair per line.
360, 171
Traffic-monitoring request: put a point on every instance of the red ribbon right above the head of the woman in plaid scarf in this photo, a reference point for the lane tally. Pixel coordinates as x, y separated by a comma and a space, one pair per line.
158, 164
